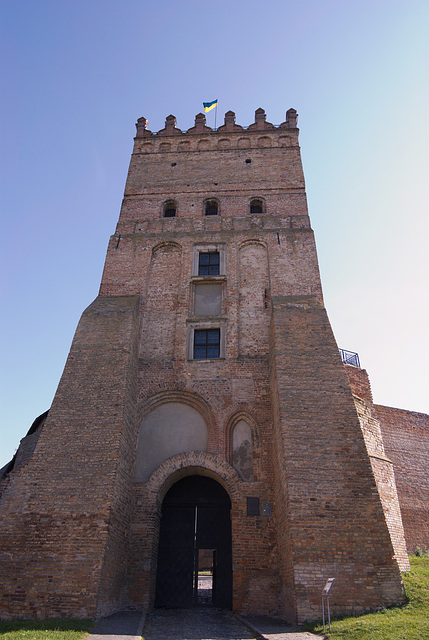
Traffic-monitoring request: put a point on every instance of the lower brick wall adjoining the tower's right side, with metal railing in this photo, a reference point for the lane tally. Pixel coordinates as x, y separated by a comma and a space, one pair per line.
398, 445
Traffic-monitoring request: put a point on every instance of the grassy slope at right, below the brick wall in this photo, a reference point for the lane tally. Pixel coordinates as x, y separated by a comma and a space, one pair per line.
407, 622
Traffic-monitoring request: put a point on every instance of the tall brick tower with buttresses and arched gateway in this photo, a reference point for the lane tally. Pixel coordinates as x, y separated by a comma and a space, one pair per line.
204, 414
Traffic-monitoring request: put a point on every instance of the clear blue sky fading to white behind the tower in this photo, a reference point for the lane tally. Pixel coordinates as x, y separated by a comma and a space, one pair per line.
77, 74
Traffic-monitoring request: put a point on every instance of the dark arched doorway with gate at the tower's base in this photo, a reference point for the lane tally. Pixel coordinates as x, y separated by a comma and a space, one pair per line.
194, 557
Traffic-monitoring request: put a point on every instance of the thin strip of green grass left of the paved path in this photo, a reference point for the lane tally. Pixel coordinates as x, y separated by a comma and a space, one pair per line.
51, 629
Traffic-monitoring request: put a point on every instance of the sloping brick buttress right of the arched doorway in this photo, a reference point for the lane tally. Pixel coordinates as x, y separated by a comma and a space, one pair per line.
334, 514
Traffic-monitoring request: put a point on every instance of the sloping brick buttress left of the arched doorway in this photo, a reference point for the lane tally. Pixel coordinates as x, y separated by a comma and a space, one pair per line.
70, 503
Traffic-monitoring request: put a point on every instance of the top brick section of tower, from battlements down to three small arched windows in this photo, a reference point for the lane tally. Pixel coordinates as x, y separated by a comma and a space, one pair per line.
232, 165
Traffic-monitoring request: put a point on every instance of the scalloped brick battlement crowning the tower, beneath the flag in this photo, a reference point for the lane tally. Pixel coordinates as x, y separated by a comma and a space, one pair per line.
286, 133
